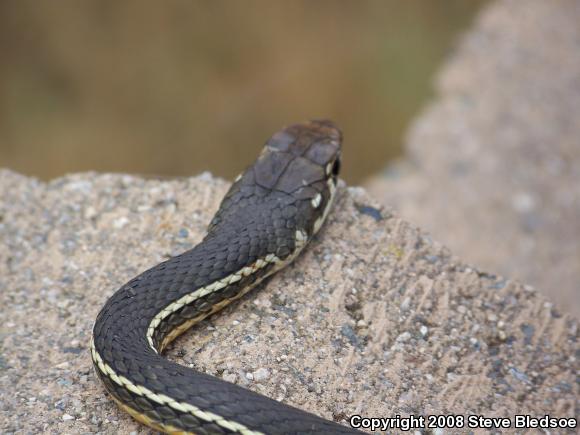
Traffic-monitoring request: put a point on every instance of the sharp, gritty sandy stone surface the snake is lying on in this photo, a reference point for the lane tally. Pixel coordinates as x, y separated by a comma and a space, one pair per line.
376, 318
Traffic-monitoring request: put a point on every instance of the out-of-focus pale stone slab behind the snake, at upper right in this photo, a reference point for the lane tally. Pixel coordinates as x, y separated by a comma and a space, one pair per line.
493, 165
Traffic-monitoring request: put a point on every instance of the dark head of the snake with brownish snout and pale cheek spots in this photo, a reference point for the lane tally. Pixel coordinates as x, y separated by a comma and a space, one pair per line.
293, 179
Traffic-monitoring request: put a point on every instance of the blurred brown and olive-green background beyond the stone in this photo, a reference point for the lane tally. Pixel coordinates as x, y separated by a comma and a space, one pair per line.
174, 88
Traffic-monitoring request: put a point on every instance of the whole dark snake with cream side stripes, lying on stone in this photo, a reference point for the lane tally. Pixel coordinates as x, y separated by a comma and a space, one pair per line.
270, 213
